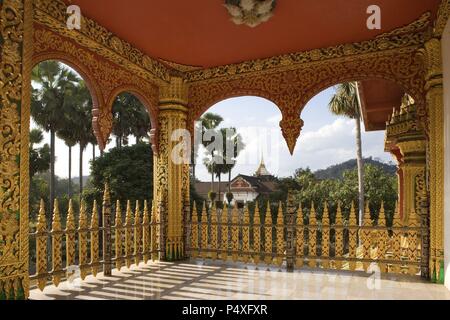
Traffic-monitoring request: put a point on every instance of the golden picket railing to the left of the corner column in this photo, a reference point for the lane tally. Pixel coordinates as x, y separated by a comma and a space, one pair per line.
125, 243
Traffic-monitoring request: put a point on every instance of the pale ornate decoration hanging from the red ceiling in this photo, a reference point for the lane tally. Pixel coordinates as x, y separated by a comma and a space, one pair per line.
250, 12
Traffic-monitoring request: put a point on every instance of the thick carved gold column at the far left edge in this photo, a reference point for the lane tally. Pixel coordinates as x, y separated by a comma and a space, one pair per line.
16, 29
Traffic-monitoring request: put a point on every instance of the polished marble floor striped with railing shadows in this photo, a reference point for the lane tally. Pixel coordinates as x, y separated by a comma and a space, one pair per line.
196, 280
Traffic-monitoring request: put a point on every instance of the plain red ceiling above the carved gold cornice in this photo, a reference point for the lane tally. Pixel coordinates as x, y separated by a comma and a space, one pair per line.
200, 33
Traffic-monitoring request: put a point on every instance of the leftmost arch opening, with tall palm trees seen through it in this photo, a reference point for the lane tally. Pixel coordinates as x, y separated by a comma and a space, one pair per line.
62, 105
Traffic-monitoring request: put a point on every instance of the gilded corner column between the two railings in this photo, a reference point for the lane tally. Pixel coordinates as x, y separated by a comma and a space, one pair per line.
171, 187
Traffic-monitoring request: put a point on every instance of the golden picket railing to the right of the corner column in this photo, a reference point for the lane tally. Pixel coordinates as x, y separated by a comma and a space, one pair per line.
295, 238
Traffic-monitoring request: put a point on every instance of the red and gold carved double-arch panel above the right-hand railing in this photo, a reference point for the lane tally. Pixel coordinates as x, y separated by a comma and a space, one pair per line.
291, 90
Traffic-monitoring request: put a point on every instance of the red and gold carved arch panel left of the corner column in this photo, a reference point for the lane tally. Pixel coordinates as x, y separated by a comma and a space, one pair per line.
104, 79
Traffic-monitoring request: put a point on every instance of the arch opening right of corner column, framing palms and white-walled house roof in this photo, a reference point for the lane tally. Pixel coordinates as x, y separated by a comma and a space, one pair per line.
254, 138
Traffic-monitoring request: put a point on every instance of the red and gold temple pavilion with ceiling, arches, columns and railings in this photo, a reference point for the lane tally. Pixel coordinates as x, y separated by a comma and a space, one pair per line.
181, 57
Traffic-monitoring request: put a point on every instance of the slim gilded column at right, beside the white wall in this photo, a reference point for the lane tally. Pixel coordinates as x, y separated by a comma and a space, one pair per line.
435, 109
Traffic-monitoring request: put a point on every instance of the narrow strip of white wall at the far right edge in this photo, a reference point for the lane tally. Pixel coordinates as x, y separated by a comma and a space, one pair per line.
446, 62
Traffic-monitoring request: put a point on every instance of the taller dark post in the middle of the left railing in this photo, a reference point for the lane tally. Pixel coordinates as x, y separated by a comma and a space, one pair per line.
107, 249
